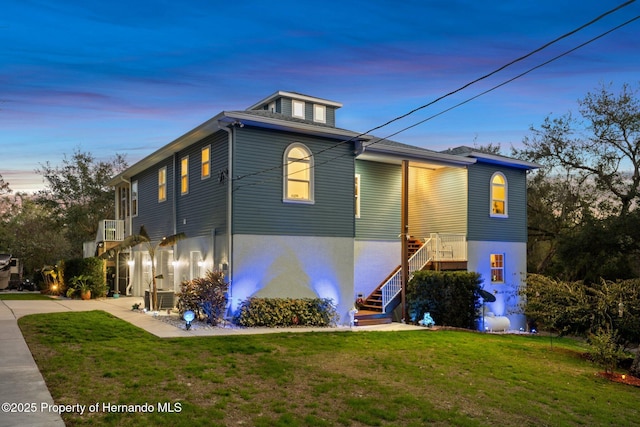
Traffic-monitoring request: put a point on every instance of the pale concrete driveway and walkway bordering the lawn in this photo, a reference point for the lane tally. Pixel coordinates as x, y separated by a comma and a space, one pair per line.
21, 382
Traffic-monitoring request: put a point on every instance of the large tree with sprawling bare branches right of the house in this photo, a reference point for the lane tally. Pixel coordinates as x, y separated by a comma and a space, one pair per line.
583, 201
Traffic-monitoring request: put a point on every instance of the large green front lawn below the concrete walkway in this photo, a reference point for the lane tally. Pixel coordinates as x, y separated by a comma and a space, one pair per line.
438, 378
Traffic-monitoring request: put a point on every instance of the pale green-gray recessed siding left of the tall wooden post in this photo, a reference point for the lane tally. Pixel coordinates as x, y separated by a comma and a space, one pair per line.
380, 196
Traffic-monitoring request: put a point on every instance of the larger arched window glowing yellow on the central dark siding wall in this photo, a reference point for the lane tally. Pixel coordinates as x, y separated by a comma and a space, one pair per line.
298, 174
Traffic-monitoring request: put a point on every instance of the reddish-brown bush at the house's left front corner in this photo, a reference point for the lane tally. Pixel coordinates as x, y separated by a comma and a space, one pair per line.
205, 296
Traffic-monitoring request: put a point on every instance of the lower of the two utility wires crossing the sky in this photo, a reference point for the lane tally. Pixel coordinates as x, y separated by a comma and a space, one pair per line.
555, 58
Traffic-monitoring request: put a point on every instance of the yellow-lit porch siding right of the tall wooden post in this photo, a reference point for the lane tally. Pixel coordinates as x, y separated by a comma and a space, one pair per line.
437, 201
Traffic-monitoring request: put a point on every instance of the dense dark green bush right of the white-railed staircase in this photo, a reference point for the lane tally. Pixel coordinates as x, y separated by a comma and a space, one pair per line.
450, 296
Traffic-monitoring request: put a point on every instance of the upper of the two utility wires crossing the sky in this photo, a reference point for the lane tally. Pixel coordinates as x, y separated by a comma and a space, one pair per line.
440, 98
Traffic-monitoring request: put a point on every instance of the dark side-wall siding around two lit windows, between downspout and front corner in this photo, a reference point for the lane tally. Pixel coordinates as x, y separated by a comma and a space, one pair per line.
204, 208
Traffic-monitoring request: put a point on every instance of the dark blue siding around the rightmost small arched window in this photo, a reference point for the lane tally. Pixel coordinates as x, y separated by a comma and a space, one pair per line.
481, 225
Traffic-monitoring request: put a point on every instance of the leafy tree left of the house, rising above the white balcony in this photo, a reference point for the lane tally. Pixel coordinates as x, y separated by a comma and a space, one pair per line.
78, 195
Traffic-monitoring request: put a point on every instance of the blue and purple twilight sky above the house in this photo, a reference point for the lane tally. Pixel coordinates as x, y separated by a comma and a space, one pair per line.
129, 77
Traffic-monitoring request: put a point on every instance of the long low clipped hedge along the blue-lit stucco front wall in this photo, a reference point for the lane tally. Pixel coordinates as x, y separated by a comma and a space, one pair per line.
283, 312
